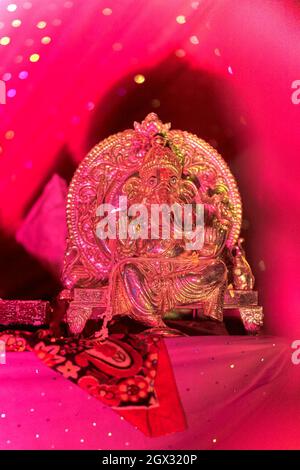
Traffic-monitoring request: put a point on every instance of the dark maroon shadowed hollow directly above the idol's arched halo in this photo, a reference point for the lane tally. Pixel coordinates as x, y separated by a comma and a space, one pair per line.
191, 99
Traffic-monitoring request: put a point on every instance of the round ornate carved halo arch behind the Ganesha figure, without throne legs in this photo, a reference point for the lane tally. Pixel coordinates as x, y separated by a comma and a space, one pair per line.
100, 177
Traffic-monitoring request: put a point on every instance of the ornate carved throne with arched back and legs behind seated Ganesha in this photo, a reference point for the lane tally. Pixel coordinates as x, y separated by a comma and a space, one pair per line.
99, 178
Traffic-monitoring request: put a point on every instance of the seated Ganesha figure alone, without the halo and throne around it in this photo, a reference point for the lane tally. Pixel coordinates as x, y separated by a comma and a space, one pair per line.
153, 274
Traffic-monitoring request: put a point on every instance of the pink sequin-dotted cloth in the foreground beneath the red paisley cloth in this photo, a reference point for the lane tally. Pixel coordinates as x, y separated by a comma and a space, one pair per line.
237, 393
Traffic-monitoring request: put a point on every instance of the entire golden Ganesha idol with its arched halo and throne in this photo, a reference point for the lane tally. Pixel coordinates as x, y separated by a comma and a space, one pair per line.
145, 267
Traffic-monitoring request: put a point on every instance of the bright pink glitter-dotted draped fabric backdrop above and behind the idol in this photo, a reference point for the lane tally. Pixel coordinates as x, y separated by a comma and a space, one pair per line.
223, 70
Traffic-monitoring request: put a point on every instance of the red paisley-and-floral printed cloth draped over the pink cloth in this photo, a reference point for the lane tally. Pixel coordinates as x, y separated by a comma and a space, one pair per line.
130, 373
